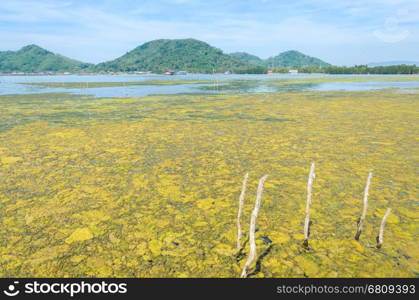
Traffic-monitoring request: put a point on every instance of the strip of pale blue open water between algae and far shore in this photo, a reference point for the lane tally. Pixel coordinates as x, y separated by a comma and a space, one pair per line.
220, 83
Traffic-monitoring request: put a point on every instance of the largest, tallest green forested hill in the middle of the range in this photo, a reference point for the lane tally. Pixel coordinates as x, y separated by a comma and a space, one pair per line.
179, 54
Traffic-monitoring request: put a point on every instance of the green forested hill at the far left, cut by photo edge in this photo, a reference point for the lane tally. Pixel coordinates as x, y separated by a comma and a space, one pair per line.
33, 58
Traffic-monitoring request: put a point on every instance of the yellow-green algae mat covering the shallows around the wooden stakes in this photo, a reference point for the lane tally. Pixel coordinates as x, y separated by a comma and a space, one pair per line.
149, 187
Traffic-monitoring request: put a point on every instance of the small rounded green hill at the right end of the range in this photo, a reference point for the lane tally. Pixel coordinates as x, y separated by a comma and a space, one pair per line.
296, 59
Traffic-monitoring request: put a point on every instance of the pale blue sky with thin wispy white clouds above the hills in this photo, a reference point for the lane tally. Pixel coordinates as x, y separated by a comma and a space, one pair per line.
341, 32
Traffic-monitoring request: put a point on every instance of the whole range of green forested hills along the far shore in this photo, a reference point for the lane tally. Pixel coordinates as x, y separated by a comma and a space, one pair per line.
156, 56
